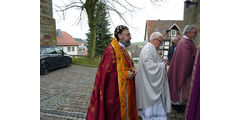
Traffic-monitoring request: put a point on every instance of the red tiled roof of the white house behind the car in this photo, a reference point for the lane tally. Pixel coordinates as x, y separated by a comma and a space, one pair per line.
66, 39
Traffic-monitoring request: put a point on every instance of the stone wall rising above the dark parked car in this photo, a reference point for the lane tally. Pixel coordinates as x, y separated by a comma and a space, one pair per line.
47, 24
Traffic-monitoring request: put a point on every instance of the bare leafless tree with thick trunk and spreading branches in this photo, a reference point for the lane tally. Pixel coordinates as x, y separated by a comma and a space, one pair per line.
93, 8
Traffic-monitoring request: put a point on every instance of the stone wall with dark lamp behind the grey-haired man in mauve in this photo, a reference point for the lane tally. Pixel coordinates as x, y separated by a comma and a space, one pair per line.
192, 16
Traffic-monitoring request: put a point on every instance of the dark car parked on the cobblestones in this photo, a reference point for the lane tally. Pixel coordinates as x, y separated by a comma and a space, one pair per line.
51, 58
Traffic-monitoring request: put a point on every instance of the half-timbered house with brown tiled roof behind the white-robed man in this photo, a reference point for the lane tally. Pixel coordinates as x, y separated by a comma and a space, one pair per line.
168, 28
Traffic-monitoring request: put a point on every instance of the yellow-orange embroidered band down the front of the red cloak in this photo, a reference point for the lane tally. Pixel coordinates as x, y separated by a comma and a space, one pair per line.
122, 77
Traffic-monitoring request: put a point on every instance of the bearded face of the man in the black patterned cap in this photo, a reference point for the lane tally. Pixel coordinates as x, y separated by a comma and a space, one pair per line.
125, 38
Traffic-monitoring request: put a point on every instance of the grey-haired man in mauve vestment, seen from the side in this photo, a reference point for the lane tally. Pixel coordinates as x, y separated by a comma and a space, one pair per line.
180, 69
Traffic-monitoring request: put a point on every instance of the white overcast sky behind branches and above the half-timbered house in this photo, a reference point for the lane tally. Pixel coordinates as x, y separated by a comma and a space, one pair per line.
168, 10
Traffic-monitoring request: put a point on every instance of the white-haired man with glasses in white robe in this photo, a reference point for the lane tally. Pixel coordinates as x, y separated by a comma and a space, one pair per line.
152, 90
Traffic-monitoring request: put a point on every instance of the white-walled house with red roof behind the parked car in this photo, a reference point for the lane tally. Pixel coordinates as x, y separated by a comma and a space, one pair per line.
67, 43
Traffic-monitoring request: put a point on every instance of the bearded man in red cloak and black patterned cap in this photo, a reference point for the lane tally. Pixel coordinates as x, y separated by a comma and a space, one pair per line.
114, 94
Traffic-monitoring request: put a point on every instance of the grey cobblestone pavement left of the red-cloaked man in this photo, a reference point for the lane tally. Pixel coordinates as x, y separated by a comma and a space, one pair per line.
65, 93
